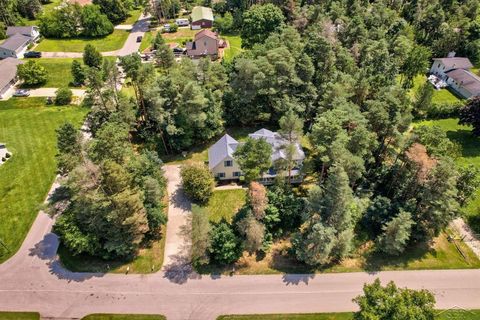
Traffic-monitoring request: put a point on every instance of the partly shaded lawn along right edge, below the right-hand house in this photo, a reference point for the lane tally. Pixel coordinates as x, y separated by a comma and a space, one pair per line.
470, 154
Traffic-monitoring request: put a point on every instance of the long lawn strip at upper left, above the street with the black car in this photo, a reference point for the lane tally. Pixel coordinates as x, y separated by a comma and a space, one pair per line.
111, 42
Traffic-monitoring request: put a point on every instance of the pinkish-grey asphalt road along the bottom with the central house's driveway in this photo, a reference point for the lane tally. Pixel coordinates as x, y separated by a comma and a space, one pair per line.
34, 280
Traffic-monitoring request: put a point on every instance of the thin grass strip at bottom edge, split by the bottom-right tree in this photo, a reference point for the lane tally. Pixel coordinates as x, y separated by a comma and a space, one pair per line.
442, 315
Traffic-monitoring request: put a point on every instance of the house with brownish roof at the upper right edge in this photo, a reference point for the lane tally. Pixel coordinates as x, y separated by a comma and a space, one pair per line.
456, 73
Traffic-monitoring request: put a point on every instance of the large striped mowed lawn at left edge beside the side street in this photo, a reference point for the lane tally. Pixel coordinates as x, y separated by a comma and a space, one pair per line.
28, 127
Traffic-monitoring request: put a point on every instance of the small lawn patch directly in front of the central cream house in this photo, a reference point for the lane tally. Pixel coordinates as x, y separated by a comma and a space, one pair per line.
225, 203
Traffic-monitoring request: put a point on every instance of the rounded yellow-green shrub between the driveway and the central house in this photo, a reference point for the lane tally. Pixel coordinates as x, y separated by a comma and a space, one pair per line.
197, 182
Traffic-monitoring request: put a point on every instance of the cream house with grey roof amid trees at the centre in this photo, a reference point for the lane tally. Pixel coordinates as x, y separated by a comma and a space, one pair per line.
224, 167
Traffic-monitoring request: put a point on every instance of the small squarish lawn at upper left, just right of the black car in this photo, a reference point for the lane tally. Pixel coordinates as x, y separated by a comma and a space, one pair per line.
58, 72
